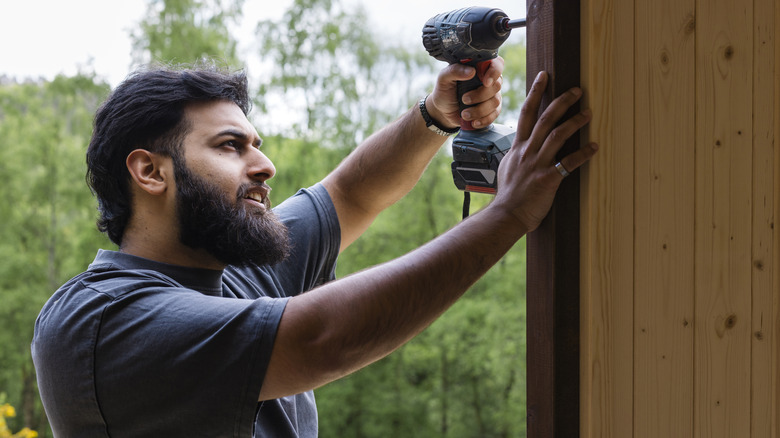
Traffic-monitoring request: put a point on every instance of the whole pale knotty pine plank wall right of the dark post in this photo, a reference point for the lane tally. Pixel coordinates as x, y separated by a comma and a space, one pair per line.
680, 257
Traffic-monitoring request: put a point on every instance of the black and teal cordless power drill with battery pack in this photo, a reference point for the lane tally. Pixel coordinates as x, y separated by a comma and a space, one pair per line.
472, 36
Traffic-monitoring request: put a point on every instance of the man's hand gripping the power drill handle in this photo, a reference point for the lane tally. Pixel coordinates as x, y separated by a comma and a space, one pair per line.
442, 104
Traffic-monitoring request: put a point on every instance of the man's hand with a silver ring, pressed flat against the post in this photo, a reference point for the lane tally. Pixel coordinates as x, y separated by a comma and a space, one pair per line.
527, 177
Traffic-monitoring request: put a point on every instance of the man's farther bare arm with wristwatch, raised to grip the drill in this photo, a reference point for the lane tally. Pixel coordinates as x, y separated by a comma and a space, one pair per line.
388, 164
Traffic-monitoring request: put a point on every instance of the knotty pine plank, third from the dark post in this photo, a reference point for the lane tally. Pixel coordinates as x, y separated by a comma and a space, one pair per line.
724, 163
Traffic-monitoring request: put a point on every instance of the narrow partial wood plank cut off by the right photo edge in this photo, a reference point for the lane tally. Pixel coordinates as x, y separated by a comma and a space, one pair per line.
765, 113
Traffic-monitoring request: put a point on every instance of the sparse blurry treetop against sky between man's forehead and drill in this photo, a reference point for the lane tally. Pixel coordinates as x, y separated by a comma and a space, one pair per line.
329, 68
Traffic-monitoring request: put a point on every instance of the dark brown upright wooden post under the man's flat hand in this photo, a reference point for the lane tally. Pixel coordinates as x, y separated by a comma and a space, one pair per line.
553, 249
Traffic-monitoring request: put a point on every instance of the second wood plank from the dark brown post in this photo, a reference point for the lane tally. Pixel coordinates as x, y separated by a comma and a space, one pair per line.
664, 218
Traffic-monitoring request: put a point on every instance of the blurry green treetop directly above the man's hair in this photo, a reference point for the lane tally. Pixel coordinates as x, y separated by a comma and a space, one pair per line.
186, 31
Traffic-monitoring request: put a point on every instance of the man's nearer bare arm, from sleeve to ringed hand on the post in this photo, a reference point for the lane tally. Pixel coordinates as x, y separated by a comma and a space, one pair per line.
349, 323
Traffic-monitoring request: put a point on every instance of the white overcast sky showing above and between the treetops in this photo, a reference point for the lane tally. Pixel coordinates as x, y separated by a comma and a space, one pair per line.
42, 38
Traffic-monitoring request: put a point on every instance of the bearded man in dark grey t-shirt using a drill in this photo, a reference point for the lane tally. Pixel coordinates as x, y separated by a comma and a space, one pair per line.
198, 325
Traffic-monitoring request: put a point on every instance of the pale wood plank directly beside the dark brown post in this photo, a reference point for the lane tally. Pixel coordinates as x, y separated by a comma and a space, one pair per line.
606, 368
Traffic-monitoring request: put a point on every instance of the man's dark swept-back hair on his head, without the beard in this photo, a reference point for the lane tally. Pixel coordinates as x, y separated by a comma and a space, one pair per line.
146, 111
